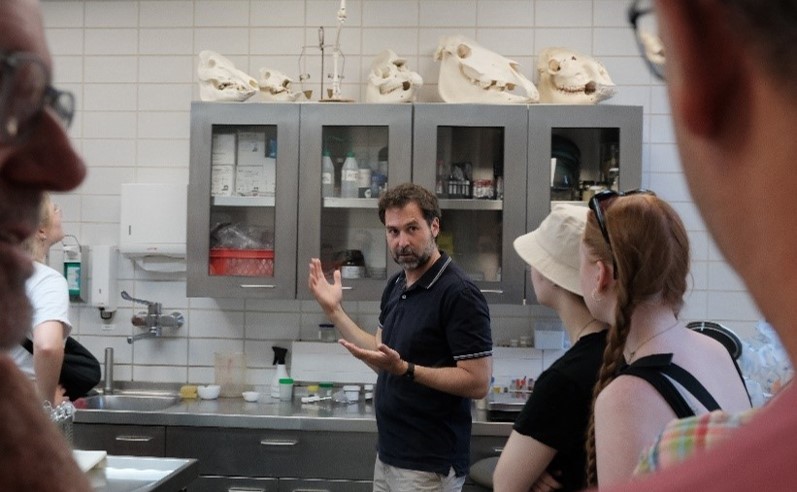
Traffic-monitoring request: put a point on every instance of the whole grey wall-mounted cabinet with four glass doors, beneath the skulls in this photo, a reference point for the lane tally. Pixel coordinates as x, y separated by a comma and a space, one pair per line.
273, 185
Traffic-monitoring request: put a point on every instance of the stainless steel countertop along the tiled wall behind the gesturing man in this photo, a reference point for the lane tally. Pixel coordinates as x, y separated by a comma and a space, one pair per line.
268, 413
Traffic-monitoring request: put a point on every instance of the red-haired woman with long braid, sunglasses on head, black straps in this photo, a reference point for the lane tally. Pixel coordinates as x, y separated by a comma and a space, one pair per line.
634, 268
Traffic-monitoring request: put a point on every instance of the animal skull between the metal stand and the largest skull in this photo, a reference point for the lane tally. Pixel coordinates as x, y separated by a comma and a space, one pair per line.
390, 81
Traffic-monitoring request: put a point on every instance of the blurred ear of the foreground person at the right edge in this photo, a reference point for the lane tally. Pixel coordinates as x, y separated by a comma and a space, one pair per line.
702, 63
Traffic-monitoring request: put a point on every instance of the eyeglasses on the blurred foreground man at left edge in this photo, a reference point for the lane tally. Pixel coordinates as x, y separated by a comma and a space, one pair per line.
25, 92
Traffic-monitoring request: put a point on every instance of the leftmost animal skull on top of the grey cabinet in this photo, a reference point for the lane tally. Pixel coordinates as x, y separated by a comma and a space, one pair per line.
219, 80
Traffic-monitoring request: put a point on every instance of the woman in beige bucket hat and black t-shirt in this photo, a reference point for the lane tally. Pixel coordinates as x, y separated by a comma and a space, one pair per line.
547, 443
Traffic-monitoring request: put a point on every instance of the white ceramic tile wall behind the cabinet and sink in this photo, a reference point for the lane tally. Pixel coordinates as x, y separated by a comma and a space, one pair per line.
132, 65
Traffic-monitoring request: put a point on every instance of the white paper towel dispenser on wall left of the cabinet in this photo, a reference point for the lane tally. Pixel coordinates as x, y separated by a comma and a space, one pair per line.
153, 220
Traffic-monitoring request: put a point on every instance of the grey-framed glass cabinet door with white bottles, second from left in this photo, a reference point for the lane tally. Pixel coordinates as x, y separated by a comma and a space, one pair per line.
350, 154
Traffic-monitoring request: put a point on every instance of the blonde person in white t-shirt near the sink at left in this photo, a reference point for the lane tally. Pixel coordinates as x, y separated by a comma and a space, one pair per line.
49, 296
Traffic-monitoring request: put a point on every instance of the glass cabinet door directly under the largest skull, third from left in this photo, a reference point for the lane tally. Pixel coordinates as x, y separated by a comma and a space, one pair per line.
474, 158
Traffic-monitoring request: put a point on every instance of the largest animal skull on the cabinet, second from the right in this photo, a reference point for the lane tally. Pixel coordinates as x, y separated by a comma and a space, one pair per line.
470, 73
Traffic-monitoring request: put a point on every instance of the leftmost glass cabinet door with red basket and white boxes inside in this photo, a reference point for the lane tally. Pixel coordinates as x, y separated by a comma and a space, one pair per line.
242, 209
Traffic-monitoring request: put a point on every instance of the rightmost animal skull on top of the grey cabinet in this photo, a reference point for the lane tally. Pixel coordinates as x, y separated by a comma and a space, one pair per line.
566, 76
